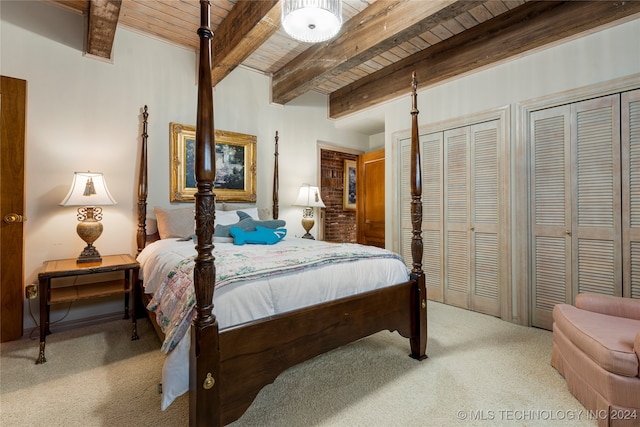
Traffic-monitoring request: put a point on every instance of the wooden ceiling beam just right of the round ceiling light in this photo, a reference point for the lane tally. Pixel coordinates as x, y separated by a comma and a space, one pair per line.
377, 29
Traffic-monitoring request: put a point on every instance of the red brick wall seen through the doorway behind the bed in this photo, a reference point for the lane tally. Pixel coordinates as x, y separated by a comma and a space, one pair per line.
339, 224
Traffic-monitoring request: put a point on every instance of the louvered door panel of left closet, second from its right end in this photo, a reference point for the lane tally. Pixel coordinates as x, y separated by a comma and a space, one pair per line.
457, 217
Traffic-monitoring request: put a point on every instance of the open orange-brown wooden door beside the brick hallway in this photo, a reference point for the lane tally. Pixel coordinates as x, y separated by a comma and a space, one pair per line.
370, 199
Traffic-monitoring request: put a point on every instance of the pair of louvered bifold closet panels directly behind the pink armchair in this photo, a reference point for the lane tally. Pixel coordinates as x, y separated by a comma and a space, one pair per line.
576, 203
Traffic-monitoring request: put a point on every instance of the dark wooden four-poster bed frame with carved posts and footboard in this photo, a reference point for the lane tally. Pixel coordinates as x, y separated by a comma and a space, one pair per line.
228, 366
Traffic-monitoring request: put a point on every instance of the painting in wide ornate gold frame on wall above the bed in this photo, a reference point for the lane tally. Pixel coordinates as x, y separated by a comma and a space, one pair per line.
235, 165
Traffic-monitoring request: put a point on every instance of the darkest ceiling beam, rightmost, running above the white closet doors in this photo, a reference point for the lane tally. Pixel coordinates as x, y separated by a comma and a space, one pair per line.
529, 26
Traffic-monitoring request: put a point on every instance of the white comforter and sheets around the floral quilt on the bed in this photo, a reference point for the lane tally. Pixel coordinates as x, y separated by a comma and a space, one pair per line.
241, 302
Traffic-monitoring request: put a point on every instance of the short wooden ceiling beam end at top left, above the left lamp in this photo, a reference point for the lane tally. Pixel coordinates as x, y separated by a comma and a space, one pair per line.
103, 20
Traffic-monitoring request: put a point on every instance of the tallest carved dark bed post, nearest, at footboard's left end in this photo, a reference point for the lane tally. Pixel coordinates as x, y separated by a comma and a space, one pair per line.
204, 366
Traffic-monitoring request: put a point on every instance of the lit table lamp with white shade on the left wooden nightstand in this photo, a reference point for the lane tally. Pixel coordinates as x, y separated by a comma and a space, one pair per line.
89, 190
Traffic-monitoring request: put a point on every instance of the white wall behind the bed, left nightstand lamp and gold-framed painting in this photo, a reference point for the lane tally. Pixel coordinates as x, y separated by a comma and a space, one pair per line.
85, 114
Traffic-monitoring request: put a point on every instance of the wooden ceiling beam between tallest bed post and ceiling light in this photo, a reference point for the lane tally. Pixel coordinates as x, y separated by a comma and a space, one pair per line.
247, 26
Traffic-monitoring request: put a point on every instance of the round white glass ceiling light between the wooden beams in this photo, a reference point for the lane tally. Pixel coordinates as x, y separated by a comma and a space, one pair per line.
312, 21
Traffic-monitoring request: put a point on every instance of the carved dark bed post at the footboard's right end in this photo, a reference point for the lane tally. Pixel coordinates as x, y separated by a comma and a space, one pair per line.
419, 314
